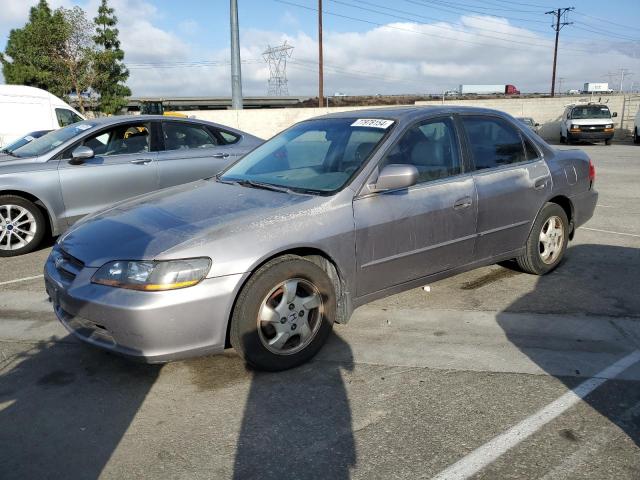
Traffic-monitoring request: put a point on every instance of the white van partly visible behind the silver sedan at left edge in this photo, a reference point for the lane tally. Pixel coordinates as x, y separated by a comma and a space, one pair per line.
28, 109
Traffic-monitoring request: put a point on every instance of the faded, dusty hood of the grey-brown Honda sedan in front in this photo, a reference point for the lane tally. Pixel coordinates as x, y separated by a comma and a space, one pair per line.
145, 227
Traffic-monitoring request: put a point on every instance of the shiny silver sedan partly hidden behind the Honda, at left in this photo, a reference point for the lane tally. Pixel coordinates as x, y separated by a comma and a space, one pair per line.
51, 181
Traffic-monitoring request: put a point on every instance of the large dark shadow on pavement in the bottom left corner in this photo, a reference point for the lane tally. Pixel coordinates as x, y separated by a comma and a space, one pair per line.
65, 407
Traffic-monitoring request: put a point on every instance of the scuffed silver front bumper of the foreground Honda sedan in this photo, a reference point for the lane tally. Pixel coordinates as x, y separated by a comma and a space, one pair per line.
150, 326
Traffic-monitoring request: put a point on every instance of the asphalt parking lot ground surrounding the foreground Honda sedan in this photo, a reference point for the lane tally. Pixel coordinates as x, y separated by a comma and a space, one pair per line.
491, 374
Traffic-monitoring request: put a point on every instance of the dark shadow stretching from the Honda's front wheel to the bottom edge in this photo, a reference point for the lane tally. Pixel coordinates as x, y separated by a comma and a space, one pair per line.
297, 424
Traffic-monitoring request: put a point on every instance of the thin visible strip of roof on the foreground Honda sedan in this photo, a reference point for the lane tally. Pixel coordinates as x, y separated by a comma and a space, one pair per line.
408, 113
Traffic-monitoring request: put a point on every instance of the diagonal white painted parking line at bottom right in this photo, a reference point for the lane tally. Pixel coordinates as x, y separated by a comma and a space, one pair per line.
492, 450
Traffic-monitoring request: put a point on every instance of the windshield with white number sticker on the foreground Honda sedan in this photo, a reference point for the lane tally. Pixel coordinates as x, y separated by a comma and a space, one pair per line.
318, 155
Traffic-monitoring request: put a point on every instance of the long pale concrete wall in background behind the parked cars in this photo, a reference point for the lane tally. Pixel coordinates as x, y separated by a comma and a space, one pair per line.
546, 111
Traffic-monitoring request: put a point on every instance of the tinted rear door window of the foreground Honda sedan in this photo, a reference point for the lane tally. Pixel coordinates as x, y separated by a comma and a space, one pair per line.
493, 142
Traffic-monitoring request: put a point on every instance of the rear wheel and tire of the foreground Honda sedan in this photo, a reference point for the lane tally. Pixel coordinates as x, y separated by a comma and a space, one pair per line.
547, 241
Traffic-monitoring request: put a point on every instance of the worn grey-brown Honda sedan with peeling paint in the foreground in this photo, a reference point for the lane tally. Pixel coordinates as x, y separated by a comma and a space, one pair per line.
328, 215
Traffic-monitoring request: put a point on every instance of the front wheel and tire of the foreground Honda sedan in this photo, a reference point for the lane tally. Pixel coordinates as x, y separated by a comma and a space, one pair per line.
284, 314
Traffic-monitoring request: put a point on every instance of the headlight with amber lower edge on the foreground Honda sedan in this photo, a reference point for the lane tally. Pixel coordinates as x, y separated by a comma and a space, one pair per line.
153, 276
